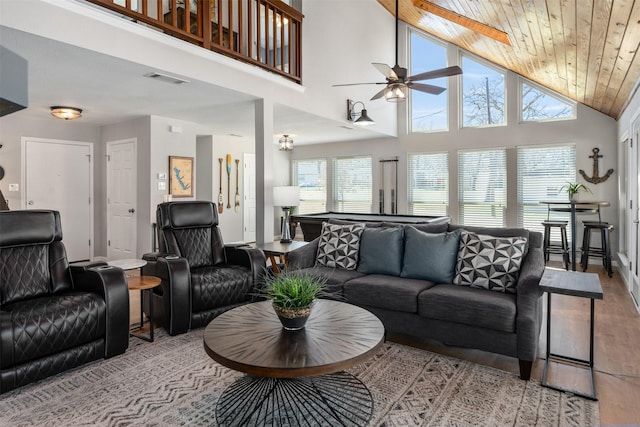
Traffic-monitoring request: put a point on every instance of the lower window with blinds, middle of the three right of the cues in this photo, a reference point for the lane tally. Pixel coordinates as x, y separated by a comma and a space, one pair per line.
482, 187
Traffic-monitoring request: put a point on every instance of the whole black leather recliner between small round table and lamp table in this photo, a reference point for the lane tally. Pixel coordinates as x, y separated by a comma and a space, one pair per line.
201, 276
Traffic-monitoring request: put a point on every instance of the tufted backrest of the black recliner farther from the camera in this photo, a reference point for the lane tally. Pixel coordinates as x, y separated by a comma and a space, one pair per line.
190, 230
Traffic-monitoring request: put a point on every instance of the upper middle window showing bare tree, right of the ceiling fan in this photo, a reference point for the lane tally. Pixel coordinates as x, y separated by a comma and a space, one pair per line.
483, 95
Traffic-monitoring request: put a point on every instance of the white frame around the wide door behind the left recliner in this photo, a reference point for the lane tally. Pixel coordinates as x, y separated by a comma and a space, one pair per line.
23, 178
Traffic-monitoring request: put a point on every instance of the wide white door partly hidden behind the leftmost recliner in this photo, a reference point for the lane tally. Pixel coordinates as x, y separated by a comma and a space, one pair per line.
58, 175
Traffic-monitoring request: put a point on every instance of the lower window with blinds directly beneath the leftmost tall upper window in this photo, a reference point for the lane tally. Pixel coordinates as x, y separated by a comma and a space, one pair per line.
428, 184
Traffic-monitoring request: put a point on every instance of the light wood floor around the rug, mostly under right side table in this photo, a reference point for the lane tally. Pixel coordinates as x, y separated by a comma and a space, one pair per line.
617, 348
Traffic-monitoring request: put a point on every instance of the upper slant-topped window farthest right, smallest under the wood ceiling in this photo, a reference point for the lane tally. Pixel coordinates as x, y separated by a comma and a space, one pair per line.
538, 104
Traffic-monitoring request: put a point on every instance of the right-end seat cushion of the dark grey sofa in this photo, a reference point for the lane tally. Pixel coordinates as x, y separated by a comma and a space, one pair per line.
469, 306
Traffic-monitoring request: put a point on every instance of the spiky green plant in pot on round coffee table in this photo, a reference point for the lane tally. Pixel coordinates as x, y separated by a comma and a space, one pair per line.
292, 294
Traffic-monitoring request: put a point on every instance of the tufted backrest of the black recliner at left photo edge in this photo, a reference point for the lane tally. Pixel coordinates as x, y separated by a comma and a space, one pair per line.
33, 261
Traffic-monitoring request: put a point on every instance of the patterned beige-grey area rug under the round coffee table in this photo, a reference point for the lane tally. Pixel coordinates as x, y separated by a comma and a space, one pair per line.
172, 382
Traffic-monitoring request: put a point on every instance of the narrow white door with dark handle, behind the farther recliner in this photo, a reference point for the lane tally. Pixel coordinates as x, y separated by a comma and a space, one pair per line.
121, 199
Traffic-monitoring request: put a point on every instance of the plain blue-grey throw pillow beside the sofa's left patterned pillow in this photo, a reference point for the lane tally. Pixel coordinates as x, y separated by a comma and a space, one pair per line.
381, 251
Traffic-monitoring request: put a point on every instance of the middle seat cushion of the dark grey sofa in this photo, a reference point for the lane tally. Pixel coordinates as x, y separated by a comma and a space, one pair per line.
388, 292
